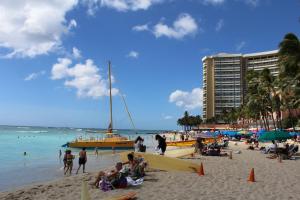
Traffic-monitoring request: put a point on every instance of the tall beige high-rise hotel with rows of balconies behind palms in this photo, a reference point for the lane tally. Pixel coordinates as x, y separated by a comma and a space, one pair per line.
224, 78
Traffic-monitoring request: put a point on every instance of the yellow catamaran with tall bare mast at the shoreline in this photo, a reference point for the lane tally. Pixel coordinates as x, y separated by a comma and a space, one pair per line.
111, 141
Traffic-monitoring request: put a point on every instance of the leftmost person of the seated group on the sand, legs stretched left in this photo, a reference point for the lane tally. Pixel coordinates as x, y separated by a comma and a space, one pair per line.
115, 178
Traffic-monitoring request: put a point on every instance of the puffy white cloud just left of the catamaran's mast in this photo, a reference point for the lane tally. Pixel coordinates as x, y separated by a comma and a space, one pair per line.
85, 78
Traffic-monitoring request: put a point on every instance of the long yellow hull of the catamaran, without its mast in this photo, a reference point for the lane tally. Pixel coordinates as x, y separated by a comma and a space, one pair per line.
102, 145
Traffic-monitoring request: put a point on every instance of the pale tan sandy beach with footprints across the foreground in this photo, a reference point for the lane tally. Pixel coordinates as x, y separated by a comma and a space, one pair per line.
224, 179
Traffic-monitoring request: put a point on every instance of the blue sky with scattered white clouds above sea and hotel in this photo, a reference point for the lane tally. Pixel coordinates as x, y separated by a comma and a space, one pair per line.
54, 56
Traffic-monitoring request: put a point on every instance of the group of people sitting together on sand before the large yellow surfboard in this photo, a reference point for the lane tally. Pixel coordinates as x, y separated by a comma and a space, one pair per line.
120, 176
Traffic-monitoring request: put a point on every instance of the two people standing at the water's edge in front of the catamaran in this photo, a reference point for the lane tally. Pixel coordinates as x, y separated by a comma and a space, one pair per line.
68, 161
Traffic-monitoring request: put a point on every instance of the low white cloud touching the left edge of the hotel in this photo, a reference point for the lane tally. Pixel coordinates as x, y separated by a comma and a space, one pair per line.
188, 100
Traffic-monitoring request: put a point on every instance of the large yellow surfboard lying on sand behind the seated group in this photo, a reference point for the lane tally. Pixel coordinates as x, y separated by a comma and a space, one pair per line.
163, 162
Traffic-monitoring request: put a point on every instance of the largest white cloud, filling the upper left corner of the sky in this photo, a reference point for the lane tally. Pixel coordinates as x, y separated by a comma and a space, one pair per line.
29, 27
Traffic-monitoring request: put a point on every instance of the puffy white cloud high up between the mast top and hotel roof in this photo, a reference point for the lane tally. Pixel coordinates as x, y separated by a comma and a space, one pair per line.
184, 25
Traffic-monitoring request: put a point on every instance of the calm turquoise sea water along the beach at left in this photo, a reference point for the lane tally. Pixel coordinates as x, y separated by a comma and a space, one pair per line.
42, 146
